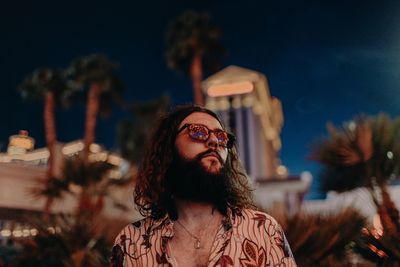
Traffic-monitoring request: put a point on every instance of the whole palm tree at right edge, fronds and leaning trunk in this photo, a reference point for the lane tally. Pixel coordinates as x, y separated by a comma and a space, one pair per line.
365, 152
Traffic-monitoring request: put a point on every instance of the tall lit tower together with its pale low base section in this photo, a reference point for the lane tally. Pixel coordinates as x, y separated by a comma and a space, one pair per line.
241, 97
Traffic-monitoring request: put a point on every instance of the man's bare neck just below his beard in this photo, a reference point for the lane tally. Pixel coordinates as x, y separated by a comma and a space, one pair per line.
194, 212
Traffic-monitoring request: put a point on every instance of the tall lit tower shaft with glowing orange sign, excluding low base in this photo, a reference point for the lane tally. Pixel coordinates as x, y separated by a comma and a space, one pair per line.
242, 99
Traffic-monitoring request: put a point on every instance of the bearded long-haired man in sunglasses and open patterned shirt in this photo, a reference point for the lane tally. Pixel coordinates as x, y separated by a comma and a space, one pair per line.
197, 204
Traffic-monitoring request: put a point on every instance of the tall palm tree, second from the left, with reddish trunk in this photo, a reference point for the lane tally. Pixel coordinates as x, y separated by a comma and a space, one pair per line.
97, 75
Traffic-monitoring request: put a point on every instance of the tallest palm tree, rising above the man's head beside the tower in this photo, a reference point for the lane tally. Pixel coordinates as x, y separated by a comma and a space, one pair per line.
192, 44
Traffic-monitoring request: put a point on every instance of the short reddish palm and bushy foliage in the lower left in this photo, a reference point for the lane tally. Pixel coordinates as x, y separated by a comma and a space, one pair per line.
80, 238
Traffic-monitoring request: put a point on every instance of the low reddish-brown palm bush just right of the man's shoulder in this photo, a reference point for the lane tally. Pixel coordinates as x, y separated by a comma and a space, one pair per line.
322, 240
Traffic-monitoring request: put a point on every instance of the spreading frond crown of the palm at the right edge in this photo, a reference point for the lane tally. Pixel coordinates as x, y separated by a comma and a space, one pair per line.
363, 150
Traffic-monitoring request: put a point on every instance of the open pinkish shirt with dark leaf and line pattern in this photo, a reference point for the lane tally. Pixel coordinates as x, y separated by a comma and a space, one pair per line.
245, 238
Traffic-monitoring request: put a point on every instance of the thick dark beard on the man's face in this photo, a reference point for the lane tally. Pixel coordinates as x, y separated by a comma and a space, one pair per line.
189, 179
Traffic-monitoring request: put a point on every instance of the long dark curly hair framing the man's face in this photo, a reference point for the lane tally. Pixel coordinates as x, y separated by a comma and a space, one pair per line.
151, 196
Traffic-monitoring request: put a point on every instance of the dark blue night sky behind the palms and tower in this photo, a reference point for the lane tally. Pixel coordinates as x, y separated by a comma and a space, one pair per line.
325, 60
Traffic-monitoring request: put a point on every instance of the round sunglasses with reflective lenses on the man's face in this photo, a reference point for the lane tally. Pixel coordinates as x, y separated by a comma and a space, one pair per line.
200, 132
